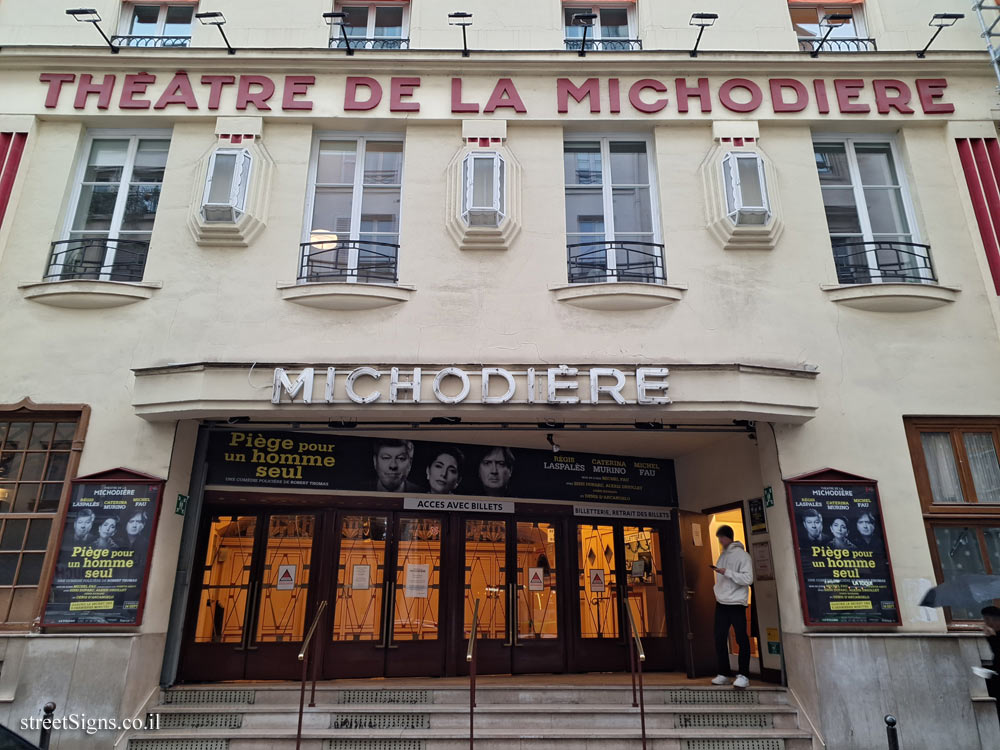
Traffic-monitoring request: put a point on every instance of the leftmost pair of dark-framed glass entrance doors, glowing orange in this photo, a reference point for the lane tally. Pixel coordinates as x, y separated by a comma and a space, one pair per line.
250, 606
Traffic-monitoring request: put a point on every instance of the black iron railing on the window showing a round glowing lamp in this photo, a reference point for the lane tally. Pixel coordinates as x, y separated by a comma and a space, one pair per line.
331, 261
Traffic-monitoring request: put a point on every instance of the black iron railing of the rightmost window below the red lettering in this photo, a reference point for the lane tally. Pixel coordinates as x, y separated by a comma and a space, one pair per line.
883, 261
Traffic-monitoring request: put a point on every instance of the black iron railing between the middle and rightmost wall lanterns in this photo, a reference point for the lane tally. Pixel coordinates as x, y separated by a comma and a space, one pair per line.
633, 261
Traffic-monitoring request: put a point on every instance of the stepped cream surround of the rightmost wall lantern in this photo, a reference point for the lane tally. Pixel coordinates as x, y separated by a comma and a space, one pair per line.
730, 234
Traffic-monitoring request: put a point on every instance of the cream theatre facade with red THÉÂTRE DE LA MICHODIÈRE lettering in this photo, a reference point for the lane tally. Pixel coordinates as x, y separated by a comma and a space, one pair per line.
375, 339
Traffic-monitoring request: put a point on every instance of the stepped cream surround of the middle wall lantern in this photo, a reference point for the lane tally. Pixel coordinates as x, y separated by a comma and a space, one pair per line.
472, 237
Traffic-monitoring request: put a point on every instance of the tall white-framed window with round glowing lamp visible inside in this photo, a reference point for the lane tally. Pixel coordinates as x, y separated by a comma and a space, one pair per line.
353, 229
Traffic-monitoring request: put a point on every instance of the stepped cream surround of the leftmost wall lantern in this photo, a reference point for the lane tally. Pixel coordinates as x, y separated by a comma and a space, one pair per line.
254, 215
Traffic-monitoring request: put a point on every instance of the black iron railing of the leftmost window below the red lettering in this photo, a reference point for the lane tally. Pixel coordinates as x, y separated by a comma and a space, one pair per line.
97, 258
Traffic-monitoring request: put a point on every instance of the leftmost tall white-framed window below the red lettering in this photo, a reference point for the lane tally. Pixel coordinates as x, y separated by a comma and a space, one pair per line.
112, 210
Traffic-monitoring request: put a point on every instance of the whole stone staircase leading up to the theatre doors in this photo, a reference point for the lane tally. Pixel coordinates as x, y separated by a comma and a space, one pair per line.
581, 712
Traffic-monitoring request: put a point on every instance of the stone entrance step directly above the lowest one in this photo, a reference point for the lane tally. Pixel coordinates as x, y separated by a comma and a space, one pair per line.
435, 716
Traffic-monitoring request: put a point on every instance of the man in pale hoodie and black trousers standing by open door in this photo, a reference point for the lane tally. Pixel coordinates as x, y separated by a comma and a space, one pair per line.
733, 576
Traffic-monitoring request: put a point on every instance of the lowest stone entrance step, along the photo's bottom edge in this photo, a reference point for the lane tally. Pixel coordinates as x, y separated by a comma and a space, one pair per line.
486, 739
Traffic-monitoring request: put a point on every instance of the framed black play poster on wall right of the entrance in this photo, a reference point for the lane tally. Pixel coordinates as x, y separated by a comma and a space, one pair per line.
845, 574
